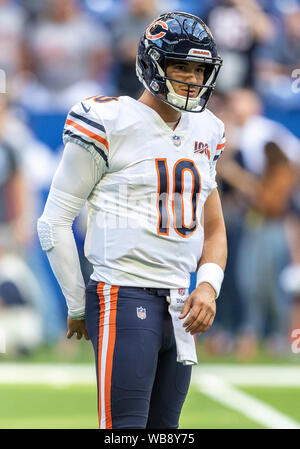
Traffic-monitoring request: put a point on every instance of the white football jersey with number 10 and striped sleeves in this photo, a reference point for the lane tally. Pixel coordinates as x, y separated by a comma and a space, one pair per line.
143, 226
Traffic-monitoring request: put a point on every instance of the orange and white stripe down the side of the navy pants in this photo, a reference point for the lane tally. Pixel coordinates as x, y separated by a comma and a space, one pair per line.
106, 343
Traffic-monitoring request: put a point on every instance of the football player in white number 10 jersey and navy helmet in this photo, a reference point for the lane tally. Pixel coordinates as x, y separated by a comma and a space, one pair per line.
146, 171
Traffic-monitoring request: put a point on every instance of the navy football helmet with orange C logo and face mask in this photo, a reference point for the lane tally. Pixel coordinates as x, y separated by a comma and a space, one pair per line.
173, 36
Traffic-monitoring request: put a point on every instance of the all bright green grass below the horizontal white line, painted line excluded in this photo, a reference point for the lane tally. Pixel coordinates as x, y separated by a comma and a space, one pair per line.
74, 407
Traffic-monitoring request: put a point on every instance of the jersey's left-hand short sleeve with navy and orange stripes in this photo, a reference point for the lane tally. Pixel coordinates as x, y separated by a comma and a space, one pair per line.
84, 127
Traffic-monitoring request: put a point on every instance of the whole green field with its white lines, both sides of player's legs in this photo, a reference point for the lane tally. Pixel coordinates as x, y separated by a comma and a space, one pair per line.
40, 391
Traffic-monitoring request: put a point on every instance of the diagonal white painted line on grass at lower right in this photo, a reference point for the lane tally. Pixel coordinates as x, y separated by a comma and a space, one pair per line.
258, 411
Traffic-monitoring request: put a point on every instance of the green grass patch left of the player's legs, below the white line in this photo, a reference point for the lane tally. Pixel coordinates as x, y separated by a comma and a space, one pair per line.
43, 407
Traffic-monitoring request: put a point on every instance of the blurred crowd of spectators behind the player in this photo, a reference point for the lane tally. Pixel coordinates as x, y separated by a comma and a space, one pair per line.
54, 53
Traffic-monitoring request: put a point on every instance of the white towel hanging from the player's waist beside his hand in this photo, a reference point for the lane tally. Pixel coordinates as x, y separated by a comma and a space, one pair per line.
185, 343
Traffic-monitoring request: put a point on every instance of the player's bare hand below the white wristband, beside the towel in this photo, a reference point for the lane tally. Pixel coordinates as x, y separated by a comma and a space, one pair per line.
200, 306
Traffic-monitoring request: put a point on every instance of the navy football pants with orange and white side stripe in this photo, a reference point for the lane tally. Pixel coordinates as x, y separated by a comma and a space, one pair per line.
140, 383
